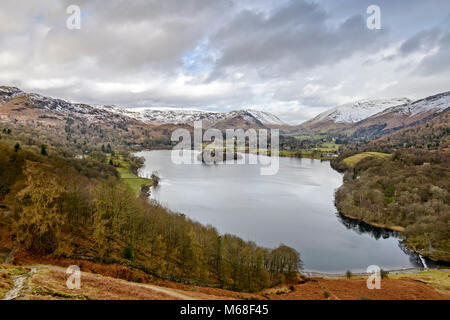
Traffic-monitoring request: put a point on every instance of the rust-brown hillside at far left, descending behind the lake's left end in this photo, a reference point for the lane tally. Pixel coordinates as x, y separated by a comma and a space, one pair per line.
73, 128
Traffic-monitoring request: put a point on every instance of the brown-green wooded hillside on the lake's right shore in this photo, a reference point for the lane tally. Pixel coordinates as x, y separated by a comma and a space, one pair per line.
408, 189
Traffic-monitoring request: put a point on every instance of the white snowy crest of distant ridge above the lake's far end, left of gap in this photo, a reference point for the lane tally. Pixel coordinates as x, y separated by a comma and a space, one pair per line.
189, 116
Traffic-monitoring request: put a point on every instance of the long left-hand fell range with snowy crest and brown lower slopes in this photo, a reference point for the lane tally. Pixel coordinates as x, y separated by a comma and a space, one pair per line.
63, 123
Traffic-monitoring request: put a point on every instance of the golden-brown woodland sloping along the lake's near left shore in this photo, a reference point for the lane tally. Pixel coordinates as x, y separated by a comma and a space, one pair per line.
59, 206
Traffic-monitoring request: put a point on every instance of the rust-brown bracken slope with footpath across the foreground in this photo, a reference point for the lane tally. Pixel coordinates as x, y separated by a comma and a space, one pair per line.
103, 283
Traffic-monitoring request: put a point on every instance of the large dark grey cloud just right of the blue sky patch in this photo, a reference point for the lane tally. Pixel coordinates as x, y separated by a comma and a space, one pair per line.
290, 39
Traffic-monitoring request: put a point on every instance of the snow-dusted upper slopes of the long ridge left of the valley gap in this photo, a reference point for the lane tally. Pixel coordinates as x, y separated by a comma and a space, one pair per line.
51, 107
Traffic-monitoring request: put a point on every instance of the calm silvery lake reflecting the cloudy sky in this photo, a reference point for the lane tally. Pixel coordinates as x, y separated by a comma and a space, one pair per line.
294, 207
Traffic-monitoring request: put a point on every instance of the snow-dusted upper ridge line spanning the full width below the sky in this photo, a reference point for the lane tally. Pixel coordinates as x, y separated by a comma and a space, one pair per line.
363, 119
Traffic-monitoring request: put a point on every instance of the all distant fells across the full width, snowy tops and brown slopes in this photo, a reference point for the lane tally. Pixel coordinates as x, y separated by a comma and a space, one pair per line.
87, 126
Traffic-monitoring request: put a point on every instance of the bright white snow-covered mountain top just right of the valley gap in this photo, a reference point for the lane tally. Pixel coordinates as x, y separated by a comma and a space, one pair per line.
359, 110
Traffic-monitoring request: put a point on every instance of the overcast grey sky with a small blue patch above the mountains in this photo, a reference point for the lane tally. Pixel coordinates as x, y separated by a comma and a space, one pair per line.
292, 58
